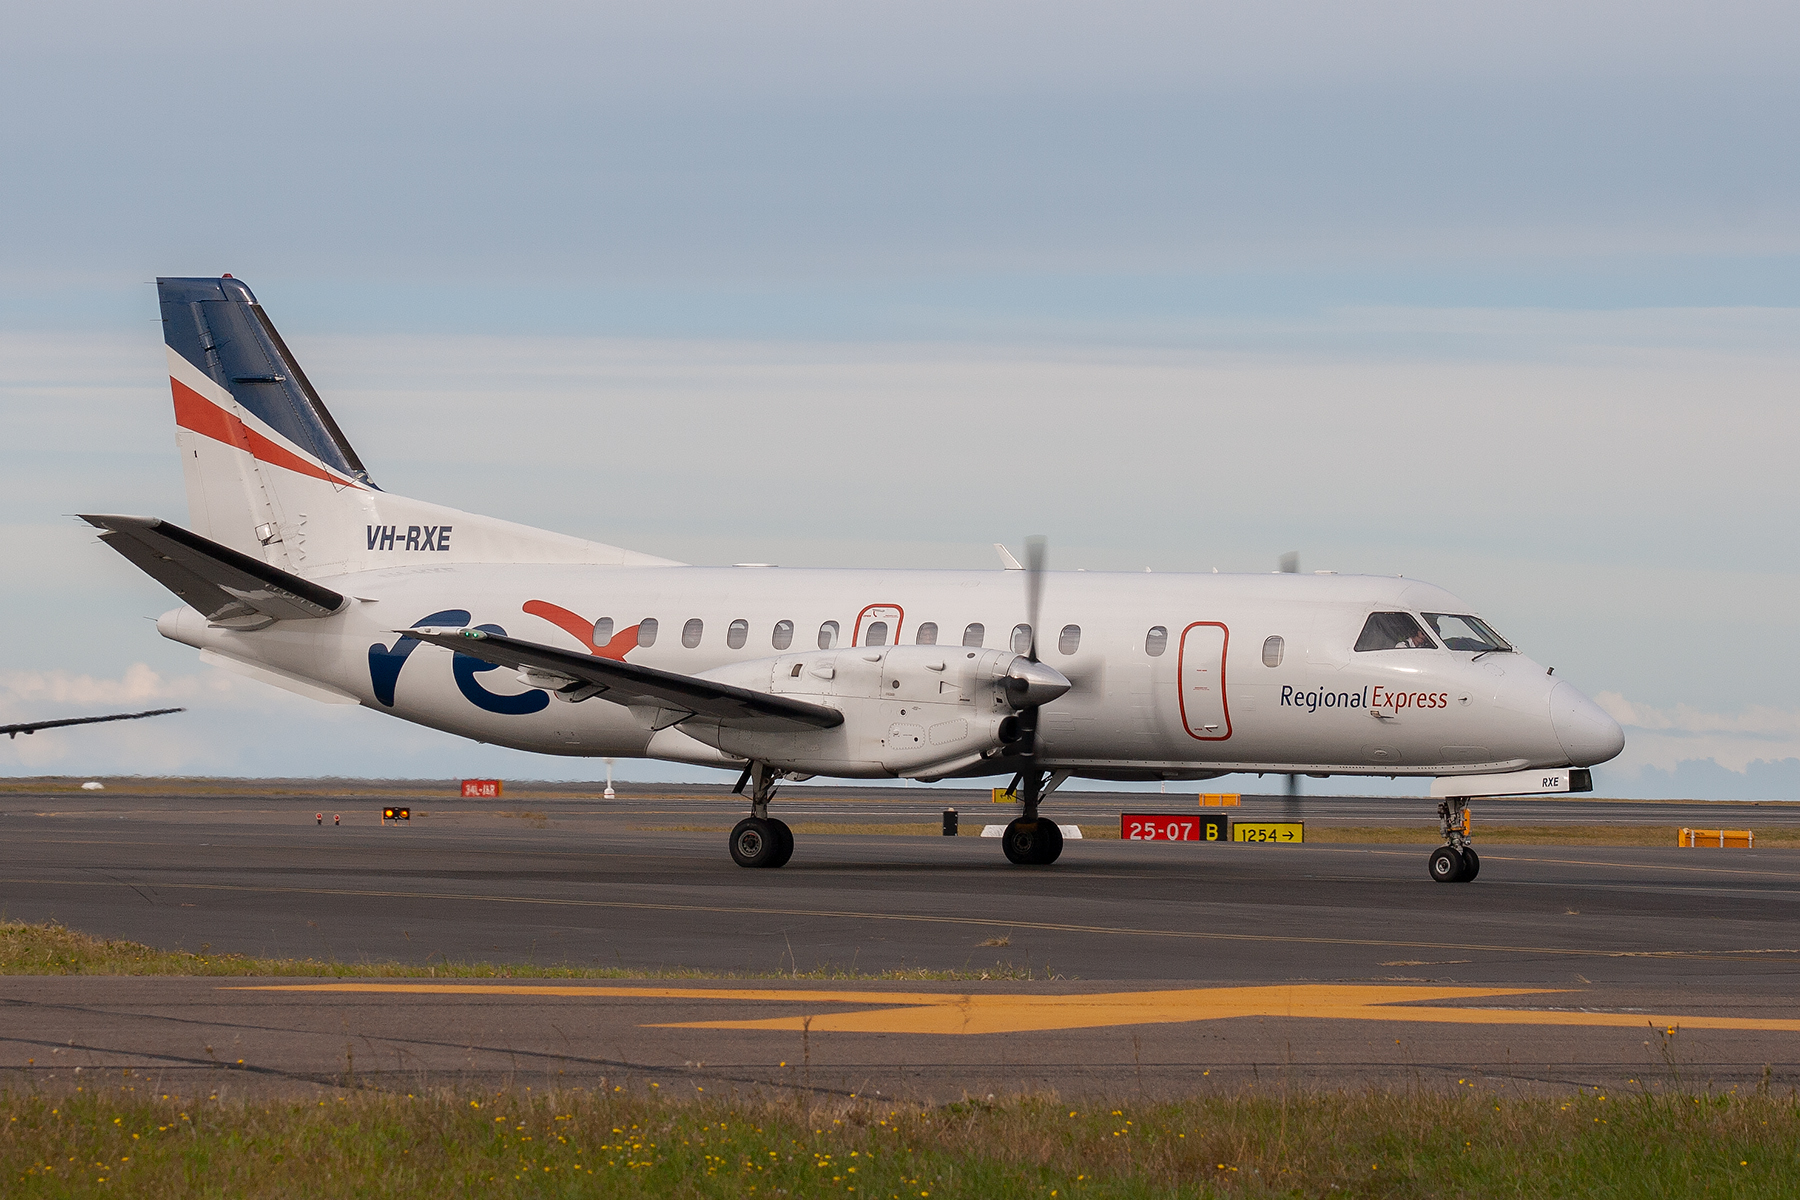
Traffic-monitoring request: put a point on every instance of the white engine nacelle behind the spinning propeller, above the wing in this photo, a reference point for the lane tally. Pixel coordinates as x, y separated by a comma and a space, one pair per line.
908, 710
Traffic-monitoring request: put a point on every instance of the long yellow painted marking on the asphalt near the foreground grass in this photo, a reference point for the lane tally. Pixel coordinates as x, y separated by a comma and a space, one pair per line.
962, 1014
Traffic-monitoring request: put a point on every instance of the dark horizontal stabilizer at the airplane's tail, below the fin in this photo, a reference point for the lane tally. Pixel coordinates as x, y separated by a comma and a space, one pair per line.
228, 587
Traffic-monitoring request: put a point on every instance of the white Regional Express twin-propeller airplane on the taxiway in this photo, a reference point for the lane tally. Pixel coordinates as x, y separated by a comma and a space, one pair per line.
300, 571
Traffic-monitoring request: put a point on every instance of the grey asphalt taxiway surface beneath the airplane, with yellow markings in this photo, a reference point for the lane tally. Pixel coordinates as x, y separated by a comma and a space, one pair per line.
1153, 967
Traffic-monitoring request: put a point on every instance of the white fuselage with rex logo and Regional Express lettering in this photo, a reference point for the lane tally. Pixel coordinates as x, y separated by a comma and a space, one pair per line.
1207, 695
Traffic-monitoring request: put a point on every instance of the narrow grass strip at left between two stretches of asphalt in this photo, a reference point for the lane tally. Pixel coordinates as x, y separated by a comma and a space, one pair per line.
60, 951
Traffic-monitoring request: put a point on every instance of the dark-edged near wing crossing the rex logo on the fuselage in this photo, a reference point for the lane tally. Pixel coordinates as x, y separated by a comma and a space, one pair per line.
633, 685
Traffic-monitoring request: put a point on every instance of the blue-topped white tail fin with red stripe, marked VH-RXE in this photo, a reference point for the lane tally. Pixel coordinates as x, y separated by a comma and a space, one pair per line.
271, 474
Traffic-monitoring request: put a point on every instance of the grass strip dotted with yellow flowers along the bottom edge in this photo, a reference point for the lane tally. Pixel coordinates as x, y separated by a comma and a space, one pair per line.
643, 1143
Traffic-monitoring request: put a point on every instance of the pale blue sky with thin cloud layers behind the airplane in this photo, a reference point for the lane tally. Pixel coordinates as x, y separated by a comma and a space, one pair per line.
1497, 296
